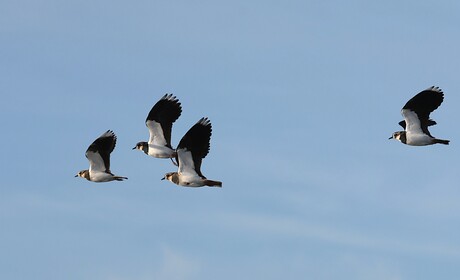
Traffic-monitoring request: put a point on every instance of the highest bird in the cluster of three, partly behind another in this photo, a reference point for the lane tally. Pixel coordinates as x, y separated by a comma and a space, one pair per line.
159, 122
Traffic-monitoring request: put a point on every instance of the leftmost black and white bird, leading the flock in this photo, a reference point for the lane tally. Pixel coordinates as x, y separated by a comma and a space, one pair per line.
98, 155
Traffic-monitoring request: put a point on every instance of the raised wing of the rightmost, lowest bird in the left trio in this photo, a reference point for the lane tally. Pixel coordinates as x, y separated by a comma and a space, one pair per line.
194, 146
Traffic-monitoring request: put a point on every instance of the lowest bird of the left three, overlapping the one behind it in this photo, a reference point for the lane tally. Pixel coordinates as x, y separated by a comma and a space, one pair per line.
192, 148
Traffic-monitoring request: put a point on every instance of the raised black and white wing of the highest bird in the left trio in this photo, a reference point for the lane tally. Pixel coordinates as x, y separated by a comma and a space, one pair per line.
160, 119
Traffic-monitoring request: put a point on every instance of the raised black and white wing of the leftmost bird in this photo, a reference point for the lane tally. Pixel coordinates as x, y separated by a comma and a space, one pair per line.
98, 153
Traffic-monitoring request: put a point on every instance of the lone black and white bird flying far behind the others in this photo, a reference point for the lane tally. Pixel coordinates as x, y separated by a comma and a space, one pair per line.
416, 121
